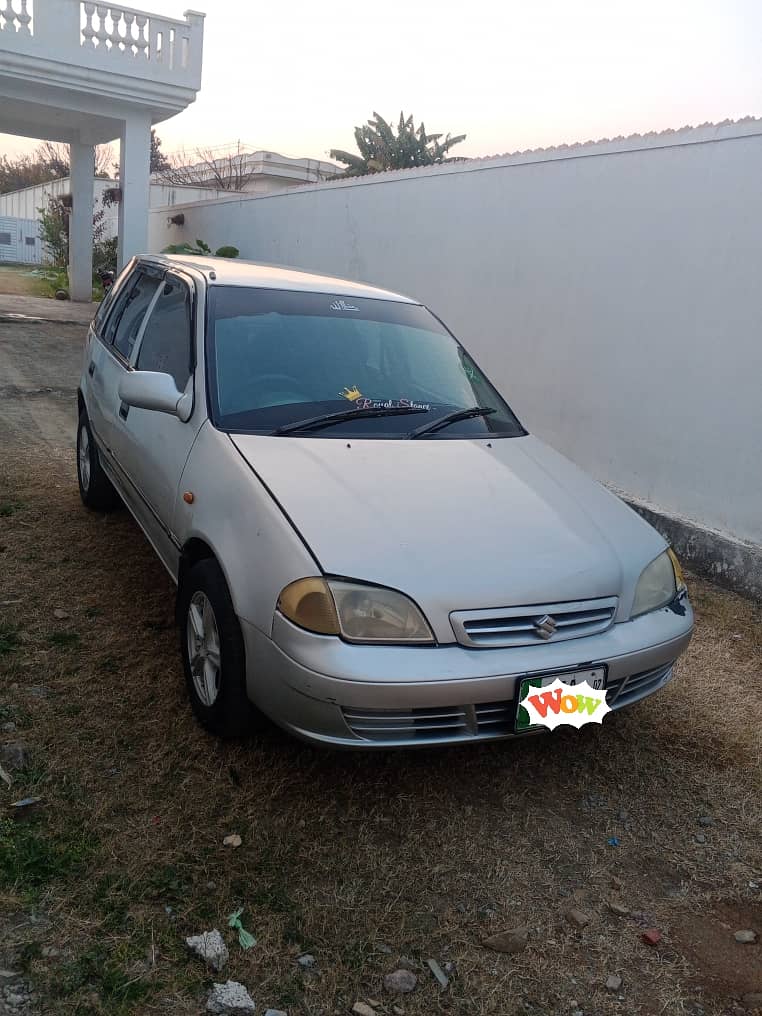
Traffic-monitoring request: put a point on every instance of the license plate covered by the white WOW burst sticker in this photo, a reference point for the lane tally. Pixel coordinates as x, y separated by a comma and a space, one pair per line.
574, 698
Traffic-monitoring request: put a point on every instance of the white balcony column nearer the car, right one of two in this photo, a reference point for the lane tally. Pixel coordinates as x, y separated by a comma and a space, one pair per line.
135, 169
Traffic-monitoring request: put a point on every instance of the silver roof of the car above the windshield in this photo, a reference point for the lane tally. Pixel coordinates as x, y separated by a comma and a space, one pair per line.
230, 272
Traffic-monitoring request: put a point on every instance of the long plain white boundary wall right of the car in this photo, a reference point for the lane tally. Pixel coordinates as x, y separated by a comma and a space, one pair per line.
612, 291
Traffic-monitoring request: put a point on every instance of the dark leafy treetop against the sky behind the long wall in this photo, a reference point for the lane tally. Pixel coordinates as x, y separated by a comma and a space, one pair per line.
382, 149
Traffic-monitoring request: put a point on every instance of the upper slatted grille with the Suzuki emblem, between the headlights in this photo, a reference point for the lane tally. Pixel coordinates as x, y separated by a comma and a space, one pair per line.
534, 625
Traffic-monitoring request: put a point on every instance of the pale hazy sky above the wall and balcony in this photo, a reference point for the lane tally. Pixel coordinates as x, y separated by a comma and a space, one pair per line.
297, 78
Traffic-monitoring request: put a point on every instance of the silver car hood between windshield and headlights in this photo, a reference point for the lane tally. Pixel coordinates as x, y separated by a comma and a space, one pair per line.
457, 525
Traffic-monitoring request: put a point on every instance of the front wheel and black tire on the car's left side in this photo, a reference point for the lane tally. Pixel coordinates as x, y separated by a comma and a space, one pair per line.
214, 655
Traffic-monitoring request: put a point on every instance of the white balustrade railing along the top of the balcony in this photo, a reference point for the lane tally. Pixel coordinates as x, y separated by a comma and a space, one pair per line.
108, 37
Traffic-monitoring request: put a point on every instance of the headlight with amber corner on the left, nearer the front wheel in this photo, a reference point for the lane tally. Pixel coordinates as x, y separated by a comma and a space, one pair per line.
358, 613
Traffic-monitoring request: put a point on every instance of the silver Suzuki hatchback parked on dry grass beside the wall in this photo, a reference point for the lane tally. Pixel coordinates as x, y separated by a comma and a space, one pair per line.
368, 546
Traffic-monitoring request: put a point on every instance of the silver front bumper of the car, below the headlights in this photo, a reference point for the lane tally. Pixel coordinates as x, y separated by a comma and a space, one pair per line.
329, 692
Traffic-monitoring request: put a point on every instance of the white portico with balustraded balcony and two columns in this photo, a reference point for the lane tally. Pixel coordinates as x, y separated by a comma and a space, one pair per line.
86, 74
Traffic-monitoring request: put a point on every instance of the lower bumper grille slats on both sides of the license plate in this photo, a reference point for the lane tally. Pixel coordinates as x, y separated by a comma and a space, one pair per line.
482, 722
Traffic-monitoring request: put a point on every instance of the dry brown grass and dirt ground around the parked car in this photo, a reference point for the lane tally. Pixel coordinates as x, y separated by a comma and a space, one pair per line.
365, 862
